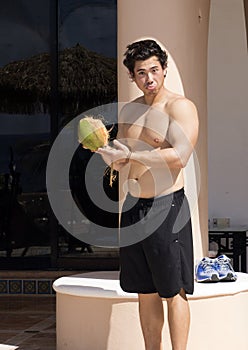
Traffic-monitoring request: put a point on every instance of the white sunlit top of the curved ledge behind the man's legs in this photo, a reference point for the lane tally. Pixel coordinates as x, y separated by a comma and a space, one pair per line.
105, 284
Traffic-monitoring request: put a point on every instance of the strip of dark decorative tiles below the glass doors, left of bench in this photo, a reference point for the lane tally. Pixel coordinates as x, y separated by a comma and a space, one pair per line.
26, 286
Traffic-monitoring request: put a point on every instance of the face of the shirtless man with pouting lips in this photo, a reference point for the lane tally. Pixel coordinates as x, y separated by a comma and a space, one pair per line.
149, 75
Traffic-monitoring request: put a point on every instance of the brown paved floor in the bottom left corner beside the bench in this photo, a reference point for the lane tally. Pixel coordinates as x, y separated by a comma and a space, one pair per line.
27, 322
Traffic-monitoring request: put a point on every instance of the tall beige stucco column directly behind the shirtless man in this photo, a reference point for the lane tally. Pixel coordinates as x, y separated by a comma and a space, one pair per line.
182, 28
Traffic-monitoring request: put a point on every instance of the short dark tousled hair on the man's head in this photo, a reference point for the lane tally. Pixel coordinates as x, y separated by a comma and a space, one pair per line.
142, 50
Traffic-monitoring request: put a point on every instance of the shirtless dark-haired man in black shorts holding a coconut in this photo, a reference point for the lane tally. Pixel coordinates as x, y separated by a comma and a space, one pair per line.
157, 134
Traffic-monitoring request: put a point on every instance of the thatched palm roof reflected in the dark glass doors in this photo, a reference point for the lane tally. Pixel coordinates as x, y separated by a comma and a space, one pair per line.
85, 79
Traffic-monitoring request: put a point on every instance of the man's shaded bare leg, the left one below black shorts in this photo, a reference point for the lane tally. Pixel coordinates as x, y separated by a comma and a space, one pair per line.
152, 319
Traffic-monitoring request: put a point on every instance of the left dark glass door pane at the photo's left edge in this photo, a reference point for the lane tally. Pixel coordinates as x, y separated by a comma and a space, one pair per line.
24, 131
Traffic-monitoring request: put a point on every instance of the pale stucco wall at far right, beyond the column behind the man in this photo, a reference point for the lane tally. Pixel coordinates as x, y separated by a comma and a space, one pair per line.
228, 112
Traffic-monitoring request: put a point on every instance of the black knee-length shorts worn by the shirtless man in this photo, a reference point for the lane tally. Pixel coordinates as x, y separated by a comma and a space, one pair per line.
163, 261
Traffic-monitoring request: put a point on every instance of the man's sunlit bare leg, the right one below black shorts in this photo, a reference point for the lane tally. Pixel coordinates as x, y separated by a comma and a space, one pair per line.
179, 320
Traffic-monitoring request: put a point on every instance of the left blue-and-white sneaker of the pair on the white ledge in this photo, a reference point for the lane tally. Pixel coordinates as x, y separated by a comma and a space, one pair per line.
206, 271
